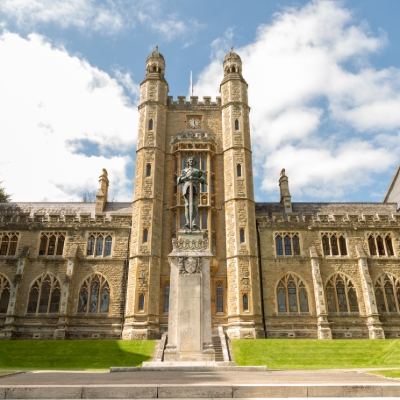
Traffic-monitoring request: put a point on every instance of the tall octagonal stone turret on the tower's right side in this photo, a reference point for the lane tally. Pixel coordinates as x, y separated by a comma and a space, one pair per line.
244, 304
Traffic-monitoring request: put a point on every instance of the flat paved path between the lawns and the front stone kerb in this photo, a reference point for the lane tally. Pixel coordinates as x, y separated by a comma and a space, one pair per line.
198, 378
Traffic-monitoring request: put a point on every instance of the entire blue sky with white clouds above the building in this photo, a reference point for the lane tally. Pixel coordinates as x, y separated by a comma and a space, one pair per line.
324, 90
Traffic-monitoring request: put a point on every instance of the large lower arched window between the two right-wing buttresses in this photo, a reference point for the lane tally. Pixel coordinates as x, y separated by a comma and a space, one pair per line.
341, 294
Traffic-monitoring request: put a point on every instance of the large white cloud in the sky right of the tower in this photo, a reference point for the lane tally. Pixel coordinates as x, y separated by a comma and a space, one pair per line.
317, 103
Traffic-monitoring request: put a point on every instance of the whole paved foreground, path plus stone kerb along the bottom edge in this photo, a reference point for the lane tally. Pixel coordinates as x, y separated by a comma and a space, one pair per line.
185, 385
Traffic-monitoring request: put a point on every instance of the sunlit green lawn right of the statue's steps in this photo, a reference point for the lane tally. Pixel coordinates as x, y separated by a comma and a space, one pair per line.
317, 354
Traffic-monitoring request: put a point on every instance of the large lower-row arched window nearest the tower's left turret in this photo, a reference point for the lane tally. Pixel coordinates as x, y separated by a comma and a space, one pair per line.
94, 295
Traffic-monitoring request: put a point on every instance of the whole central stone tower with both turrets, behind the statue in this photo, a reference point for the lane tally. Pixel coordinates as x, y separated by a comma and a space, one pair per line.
217, 135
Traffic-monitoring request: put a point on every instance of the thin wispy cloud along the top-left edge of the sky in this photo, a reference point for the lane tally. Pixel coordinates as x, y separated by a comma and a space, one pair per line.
107, 17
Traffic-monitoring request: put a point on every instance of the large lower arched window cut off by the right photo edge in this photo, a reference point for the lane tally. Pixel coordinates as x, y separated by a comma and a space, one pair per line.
387, 292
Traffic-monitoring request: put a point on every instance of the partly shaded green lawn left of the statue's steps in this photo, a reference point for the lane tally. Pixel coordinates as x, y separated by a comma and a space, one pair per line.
74, 354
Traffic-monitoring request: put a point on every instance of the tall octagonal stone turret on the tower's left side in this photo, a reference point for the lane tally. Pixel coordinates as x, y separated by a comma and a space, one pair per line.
147, 208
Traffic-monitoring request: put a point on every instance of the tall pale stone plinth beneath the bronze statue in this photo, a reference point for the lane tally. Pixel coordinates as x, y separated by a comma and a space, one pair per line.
189, 320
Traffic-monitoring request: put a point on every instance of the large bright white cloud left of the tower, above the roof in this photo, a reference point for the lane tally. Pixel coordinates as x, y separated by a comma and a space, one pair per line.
53, 106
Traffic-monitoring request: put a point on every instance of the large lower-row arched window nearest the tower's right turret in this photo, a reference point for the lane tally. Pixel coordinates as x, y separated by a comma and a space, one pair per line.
292, 295
